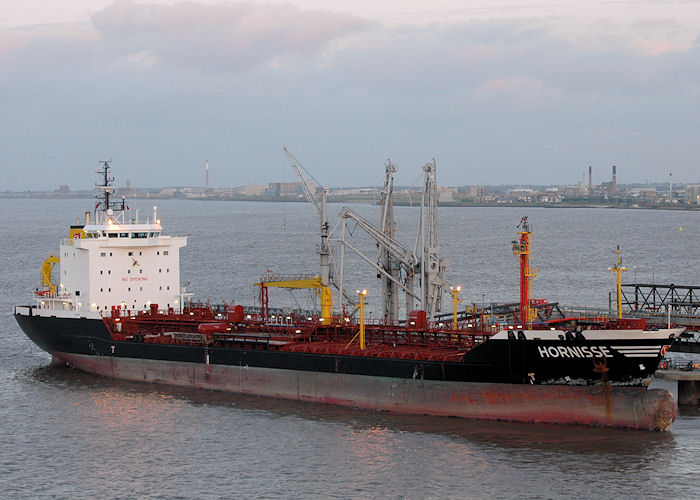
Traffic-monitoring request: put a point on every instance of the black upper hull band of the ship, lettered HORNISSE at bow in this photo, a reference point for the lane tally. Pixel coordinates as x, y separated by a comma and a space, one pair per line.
502, 361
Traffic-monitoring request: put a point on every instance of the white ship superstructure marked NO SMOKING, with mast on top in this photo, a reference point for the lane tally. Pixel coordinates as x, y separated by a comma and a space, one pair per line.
116, 261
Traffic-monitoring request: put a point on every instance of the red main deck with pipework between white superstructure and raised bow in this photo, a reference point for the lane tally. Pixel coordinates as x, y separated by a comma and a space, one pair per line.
200, 325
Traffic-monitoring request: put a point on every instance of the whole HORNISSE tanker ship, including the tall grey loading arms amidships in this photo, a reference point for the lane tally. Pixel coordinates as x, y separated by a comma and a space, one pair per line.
118, 310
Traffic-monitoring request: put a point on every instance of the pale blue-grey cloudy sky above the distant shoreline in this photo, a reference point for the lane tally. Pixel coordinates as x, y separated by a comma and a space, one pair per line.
498, 91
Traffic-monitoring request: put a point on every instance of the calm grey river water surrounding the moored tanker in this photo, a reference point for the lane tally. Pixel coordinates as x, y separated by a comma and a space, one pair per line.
64, 434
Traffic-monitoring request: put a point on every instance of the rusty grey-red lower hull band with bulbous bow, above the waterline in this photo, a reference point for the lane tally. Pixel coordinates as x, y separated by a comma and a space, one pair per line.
625, 407
